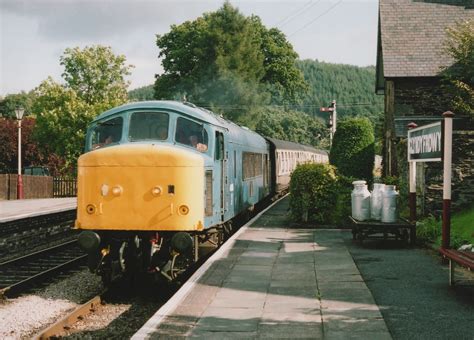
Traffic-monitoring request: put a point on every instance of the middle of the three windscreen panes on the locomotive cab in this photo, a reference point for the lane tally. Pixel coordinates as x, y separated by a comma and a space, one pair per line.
149, 126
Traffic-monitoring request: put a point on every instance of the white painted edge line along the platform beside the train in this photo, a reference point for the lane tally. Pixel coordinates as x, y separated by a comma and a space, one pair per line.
152, 324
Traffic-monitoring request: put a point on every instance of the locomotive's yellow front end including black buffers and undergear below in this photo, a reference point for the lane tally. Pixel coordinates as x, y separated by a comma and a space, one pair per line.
139, 208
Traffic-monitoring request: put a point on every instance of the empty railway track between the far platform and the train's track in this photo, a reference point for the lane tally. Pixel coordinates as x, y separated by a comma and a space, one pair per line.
19, 273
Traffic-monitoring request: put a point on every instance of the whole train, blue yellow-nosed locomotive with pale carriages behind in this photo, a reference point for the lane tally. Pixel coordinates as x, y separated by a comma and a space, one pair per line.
159, 178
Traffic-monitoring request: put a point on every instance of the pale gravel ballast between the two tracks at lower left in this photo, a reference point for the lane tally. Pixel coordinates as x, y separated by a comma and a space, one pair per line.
22, 317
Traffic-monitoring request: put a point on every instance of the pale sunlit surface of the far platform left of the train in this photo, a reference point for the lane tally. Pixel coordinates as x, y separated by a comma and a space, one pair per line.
19, 209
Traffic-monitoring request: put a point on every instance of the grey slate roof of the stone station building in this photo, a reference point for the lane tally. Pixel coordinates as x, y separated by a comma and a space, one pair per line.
411, 34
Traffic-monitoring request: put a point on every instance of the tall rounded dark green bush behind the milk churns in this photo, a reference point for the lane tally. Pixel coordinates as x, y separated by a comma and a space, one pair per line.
352, 150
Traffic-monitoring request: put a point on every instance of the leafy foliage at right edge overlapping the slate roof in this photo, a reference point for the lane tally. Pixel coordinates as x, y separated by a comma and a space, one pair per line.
460, 46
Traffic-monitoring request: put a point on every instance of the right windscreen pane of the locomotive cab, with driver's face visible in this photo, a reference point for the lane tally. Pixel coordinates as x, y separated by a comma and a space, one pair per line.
191, 134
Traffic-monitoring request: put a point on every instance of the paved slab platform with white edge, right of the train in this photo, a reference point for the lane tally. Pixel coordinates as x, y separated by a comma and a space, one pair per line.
272, 281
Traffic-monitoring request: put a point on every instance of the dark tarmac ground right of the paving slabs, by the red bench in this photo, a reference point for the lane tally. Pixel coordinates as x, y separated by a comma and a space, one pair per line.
411, 287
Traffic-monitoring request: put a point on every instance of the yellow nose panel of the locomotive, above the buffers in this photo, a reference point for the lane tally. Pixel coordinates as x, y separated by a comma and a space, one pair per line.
141, 187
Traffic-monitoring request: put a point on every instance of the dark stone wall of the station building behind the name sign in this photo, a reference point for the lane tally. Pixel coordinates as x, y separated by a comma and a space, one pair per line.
415, 97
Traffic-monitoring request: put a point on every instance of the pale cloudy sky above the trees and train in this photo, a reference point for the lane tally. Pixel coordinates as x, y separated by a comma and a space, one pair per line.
35, 33
